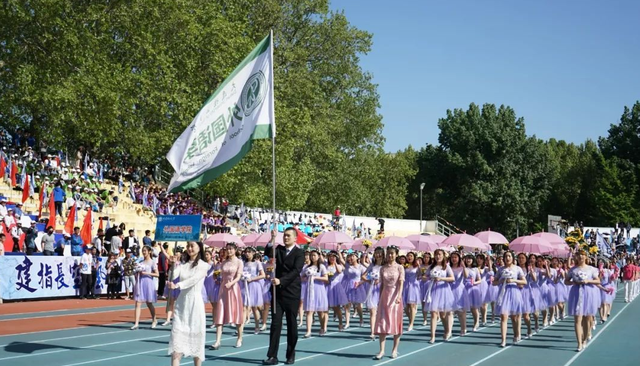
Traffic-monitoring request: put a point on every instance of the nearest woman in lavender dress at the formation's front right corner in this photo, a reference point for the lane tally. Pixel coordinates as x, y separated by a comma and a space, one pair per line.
584, 297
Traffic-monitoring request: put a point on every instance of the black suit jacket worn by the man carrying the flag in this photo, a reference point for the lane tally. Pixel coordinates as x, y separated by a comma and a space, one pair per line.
288, 269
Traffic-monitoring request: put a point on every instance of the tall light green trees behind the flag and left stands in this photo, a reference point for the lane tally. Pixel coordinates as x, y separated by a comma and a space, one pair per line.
128, 77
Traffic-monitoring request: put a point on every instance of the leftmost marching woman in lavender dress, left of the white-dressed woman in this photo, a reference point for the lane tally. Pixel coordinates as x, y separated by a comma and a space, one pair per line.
144, 289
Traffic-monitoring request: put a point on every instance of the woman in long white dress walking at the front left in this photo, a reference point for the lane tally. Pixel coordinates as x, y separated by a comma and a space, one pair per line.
189, 323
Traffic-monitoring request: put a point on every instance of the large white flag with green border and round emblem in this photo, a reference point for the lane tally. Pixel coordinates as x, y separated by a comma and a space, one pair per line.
239, 111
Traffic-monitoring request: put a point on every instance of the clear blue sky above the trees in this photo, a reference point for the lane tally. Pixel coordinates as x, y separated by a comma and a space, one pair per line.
567, 66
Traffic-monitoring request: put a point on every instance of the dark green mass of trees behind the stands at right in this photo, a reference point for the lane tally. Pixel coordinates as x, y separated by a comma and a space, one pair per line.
486, 173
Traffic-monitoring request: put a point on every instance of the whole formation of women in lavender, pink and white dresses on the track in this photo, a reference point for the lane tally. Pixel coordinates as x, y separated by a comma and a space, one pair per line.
528, 290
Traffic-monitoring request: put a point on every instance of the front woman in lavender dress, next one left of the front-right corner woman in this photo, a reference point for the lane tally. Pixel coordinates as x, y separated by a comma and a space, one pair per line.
509, 302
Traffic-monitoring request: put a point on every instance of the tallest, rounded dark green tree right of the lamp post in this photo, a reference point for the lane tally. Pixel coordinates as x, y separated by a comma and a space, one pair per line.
486, 173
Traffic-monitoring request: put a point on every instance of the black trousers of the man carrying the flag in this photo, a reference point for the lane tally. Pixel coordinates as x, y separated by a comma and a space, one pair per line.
289, 308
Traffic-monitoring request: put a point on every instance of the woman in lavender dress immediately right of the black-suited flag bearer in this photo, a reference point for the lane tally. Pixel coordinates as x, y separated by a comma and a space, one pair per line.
315, 295
